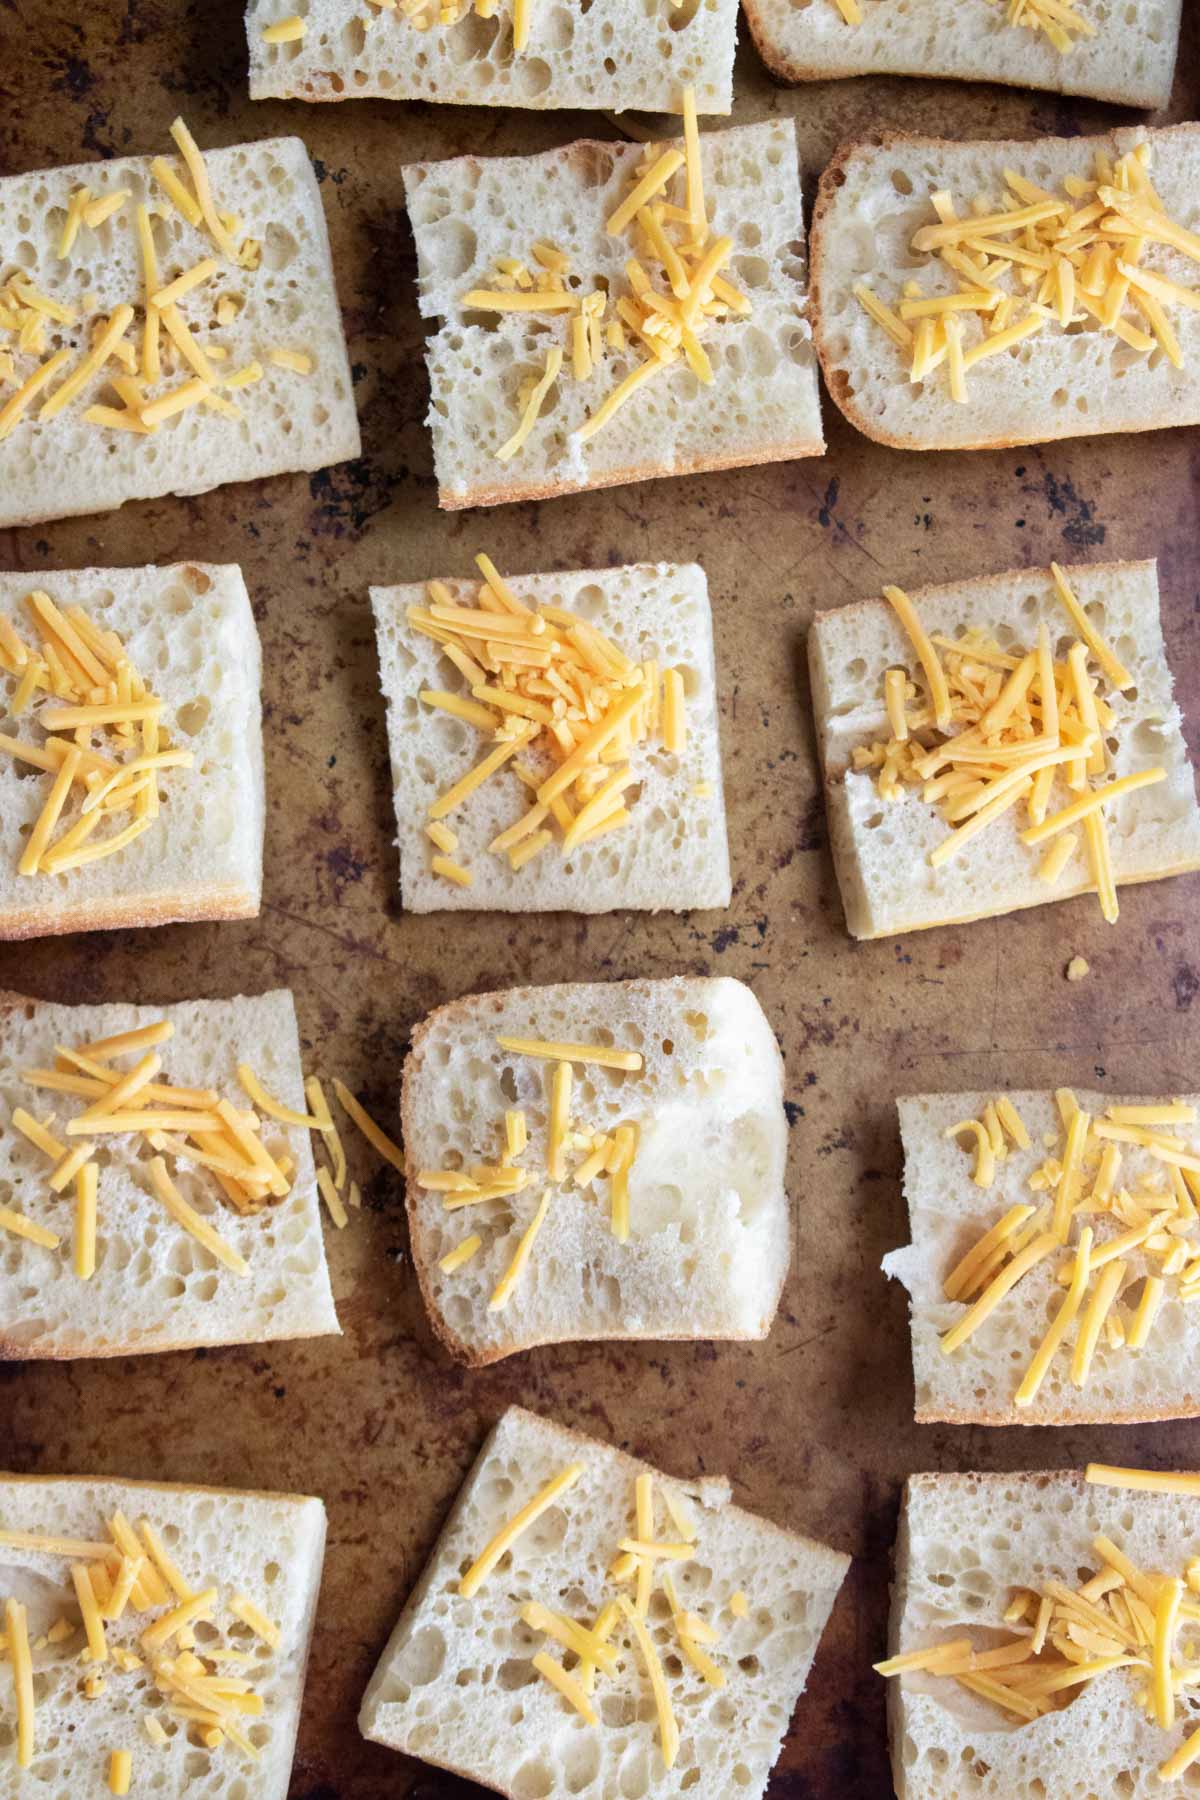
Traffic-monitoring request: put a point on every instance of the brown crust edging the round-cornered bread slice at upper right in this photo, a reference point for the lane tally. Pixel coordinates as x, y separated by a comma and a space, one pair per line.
832, 179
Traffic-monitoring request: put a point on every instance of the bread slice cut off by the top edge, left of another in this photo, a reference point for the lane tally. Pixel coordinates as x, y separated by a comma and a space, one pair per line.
598, 57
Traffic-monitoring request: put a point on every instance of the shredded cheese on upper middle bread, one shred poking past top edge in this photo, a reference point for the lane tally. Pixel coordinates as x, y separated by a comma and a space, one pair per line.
676, 289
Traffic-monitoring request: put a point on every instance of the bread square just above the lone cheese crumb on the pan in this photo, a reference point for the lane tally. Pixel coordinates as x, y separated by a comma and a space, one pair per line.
881, 850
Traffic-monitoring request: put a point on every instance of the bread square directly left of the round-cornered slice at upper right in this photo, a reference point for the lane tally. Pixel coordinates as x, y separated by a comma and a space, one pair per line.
762, 406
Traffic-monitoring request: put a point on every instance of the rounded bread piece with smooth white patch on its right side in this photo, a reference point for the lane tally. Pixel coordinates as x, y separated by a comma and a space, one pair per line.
710, 1239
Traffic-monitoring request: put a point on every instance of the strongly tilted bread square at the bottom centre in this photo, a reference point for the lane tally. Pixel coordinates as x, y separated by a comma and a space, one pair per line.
456, 1684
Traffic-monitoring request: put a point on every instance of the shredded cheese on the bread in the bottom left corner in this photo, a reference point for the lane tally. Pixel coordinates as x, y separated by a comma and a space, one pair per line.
138, 1617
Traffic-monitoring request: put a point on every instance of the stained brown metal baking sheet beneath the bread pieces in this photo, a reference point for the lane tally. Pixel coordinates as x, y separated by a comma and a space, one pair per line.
816, 1426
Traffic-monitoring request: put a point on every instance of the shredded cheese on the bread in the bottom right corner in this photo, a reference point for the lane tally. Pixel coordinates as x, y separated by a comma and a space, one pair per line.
1120, 1617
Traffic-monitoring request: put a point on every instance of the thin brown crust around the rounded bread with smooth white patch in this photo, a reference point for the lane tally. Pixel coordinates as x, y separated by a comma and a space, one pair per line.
418, 1245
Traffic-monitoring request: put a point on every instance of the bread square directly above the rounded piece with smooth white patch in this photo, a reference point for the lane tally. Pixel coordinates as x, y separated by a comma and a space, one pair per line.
674, 854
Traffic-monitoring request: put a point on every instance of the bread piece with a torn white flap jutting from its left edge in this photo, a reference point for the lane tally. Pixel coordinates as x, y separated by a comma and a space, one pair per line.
949, 1214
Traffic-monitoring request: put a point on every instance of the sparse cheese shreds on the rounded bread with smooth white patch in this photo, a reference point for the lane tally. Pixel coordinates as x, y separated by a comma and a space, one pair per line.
596, 1156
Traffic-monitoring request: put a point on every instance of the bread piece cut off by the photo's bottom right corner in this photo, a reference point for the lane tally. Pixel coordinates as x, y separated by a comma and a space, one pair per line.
967, 1543
